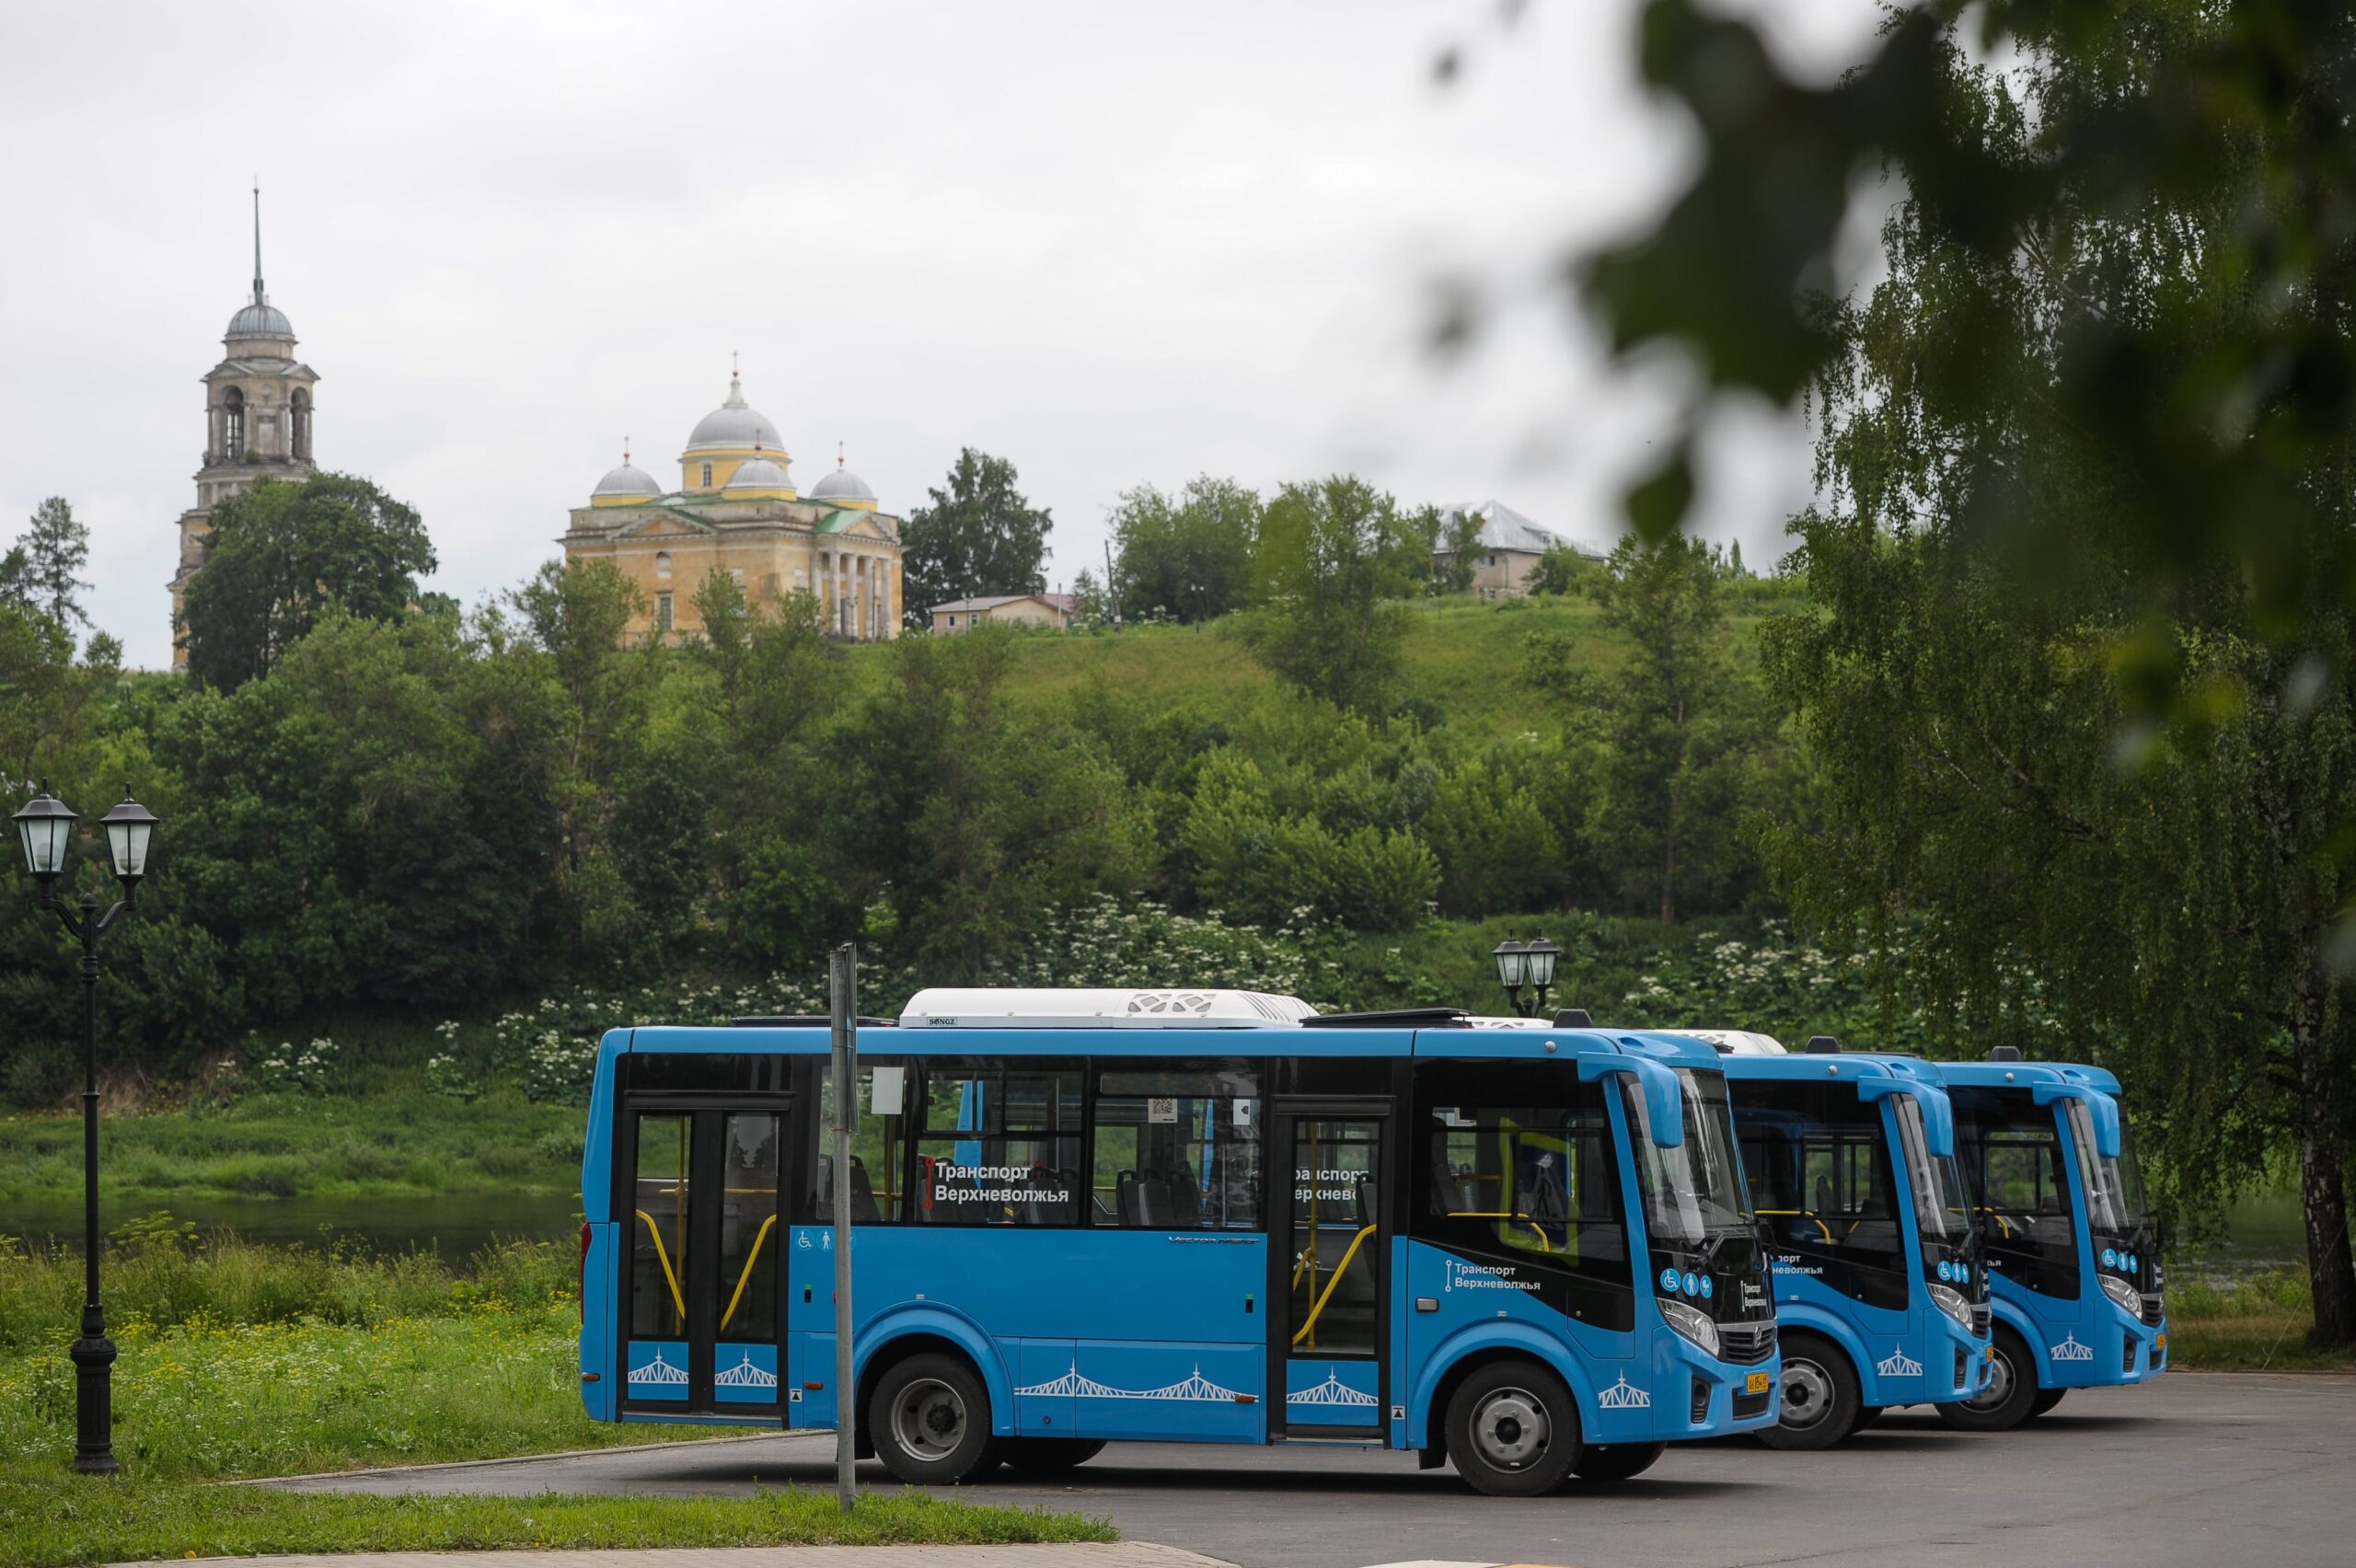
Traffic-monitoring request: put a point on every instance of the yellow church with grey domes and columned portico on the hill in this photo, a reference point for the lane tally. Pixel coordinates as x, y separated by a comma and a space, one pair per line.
736, 510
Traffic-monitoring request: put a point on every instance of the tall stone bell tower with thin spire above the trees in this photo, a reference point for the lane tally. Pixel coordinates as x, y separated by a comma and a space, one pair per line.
258, 425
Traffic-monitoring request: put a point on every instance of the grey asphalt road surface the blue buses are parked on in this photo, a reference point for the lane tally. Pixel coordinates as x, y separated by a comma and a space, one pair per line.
2192, 1470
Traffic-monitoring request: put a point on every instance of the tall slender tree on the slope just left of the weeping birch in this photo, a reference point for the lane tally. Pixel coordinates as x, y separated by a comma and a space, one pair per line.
1679, 726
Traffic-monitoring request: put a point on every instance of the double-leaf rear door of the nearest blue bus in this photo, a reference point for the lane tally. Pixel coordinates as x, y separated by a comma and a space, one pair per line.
703, 1315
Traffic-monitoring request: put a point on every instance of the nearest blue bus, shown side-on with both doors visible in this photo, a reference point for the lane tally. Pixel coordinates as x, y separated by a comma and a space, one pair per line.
1179, 1216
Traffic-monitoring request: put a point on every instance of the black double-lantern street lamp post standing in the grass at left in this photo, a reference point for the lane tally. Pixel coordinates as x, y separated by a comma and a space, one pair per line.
46, 832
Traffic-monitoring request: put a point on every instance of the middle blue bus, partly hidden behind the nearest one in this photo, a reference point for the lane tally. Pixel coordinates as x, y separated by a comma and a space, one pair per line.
1879, 1282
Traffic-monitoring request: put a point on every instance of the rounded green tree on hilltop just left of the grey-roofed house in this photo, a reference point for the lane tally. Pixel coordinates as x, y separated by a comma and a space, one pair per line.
1332, 569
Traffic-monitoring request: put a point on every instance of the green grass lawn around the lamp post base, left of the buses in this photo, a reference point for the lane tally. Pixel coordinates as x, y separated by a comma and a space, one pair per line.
204, 1402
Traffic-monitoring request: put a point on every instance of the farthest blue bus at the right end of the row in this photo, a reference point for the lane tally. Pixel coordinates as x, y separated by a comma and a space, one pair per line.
2074, 1254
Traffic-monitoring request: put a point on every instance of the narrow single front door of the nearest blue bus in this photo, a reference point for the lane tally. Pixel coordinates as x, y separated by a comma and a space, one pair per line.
1330, 1254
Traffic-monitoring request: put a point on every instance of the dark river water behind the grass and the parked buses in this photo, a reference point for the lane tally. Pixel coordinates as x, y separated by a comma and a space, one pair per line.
2261, 1233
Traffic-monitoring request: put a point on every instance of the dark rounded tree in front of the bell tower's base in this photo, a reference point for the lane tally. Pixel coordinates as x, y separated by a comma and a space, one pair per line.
282, 554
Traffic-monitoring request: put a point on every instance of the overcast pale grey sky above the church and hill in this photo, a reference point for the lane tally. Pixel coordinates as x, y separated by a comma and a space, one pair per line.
1113, 244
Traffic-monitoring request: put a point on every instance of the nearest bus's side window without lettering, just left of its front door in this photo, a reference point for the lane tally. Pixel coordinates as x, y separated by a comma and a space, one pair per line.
1177, 1148
